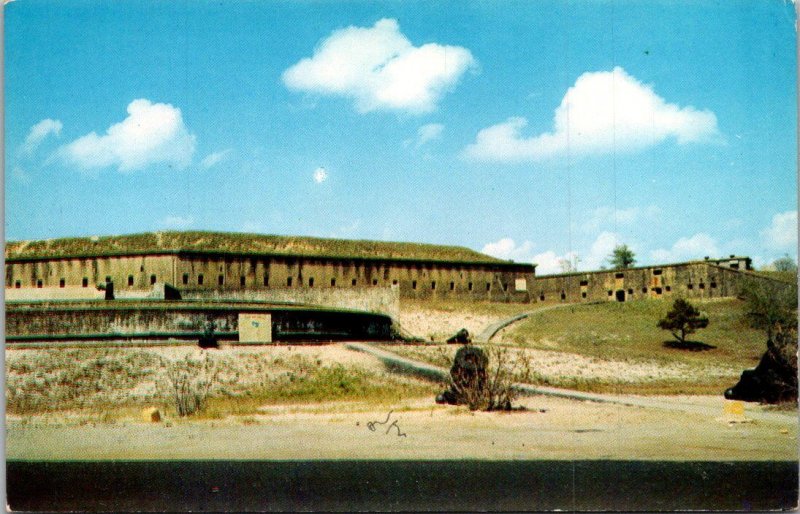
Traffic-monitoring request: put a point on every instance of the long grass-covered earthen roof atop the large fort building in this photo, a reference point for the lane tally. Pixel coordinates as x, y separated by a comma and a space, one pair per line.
241, 243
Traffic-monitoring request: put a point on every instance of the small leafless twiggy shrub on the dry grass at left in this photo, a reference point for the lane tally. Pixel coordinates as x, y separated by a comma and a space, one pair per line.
189, 382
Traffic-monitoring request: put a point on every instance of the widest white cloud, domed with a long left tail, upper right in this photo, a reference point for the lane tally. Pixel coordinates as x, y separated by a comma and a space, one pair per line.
604, 111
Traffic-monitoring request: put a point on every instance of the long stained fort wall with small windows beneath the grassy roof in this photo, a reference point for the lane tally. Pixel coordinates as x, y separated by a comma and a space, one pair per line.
210, 272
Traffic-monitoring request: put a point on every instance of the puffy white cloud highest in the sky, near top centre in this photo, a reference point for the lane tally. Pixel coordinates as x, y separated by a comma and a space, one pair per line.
380, 69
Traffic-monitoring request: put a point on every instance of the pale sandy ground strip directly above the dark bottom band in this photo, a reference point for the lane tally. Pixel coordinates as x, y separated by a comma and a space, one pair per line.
551, 429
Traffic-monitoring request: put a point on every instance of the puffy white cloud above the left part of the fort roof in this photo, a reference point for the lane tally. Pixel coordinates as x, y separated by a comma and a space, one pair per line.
151, 134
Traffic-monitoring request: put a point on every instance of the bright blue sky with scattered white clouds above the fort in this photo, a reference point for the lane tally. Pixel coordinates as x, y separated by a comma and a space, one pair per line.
533, 131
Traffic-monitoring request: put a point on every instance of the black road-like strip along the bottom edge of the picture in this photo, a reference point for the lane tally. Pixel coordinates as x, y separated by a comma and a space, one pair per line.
401, 485
